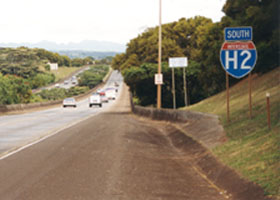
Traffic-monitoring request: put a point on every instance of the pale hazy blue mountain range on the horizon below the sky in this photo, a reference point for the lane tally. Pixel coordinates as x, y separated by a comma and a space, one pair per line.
86, 45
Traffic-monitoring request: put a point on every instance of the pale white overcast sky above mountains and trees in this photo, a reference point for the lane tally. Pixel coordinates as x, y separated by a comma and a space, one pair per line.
64, 21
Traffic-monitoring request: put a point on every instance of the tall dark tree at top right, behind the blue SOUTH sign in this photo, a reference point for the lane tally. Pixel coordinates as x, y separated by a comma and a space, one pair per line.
263, 16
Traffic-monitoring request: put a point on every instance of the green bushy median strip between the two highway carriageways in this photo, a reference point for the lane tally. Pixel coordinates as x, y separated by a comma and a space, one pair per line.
87, 80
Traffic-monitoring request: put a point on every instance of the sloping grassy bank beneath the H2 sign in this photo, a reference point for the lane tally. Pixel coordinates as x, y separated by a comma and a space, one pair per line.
252, 149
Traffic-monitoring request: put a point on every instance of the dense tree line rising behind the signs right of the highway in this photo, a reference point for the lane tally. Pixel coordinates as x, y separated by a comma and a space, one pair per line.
200, 40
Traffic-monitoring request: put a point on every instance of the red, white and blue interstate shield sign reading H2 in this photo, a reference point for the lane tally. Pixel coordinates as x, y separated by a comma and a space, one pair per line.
238, 58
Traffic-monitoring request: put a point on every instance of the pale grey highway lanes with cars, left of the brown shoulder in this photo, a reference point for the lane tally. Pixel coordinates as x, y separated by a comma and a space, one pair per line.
22, 129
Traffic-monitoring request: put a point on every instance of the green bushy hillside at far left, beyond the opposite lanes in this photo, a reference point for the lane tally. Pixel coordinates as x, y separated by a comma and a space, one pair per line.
23, 69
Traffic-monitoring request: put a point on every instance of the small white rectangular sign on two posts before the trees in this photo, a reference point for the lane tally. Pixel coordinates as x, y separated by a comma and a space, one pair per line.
178, 62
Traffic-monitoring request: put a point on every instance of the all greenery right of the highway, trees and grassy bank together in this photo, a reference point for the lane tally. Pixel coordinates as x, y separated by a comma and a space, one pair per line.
251, 149
